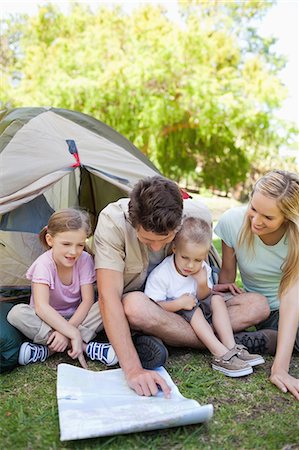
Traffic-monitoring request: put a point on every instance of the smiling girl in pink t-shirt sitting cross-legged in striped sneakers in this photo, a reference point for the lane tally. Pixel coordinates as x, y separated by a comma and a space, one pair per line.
62, 314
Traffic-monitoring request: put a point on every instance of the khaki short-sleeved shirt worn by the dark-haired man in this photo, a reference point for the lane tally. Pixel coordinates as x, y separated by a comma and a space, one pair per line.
118, 248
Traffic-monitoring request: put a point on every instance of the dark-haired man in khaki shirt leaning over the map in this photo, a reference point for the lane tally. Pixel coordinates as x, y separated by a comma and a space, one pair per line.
131, 238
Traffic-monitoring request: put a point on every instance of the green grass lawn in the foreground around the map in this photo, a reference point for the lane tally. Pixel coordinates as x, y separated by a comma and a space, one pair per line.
249, 412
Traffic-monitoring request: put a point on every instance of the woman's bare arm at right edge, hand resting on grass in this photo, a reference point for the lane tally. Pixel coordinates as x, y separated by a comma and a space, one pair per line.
287, 329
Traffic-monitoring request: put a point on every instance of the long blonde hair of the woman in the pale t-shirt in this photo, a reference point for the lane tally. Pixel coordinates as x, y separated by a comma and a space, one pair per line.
283, 187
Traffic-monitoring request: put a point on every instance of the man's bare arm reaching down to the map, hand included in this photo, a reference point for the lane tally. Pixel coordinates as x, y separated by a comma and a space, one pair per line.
110, 287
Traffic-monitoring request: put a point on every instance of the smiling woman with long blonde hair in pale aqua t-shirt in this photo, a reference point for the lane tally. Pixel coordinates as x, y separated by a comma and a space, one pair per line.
263, 240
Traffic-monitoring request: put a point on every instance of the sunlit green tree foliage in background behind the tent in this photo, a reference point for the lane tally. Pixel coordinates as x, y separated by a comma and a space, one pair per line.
197, 97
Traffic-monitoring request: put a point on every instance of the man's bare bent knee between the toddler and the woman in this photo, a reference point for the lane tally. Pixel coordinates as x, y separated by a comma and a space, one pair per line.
246, 310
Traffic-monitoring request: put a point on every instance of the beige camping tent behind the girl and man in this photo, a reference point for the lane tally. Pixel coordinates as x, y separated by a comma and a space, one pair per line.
52, 158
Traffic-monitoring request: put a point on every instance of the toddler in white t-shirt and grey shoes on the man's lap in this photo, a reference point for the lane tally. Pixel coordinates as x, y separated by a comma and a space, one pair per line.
181, 280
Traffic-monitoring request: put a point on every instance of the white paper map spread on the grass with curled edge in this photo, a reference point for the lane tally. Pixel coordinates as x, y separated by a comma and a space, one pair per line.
93, 404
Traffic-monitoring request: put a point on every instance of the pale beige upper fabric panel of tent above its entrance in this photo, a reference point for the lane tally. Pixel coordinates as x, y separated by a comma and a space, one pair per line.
38, 154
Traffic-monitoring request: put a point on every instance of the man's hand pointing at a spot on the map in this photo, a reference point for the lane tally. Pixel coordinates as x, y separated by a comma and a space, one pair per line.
147, 383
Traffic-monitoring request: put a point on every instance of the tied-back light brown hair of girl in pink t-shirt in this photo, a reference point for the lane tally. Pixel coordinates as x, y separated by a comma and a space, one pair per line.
68, 219
